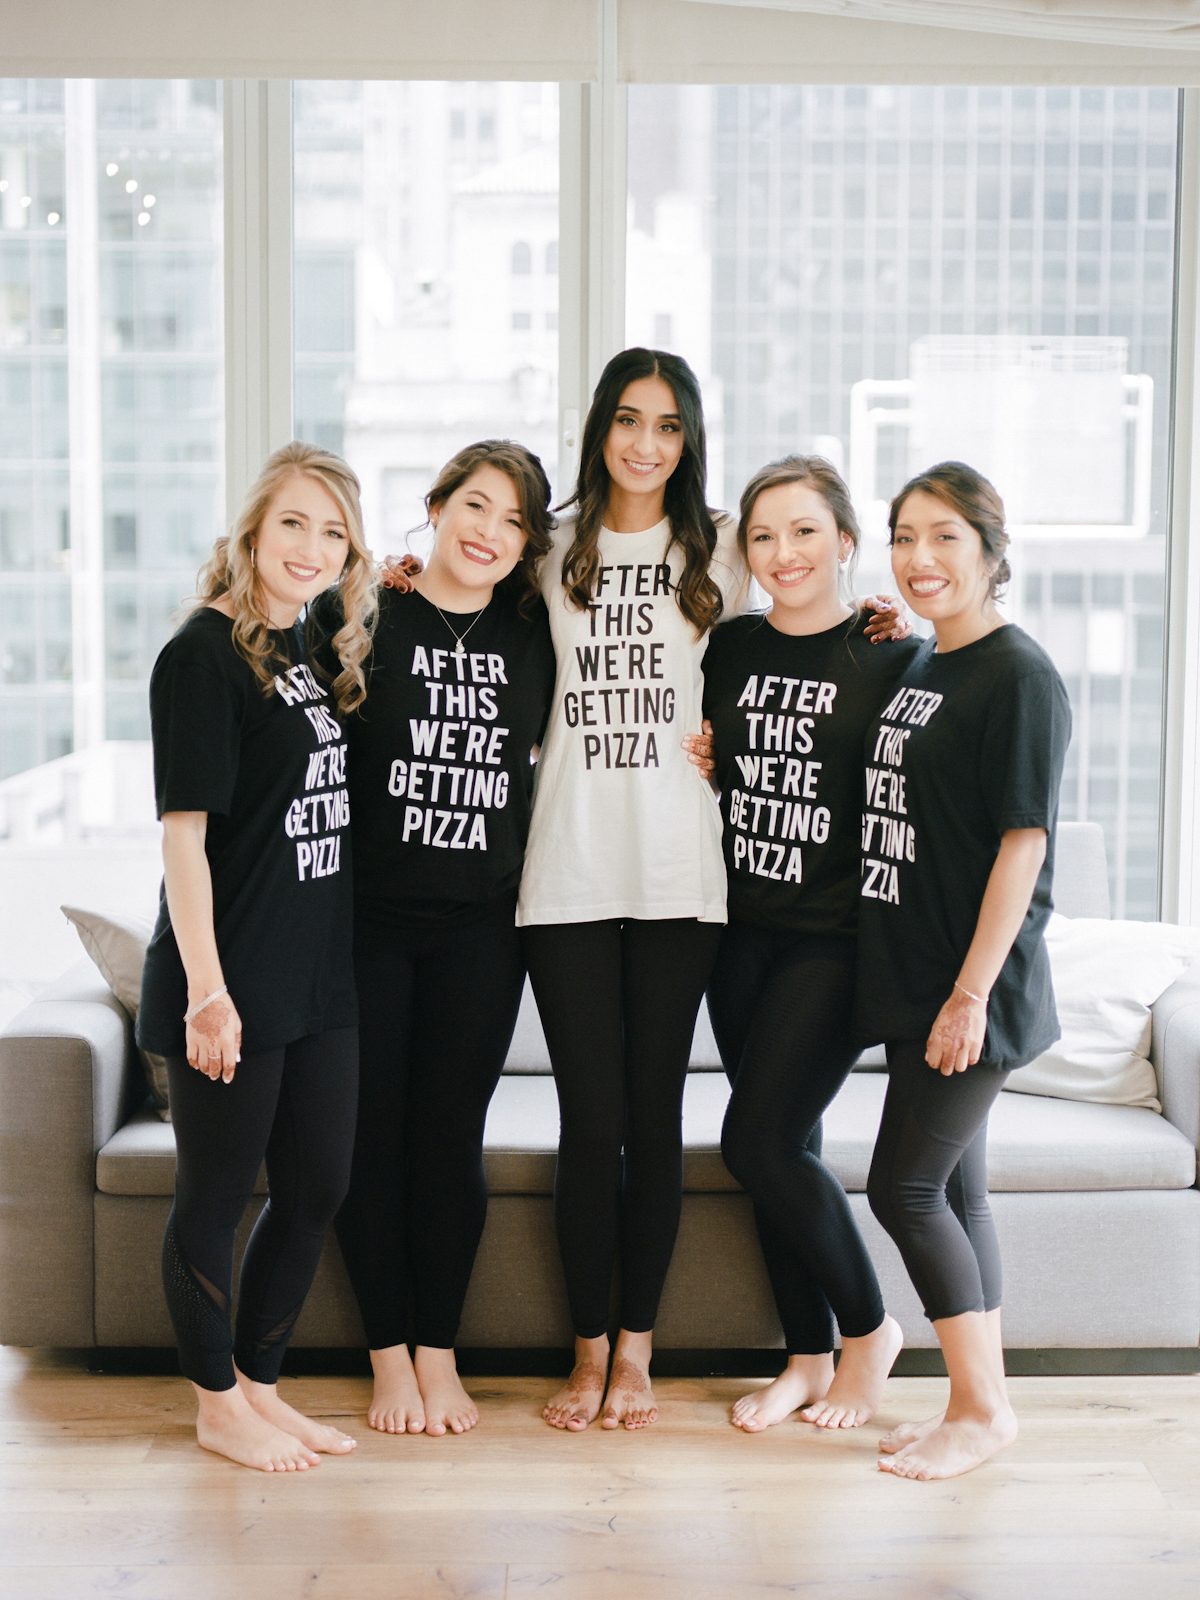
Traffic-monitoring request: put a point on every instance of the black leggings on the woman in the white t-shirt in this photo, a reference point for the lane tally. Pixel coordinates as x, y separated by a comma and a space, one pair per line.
618, 1004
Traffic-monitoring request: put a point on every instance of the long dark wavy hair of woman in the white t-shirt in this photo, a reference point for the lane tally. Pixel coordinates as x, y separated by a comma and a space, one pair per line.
692, 524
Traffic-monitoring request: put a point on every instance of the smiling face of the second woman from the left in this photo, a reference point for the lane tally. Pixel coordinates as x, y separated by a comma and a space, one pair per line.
481, 535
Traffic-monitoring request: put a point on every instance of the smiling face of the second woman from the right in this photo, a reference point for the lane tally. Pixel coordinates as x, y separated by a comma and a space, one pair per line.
794, 546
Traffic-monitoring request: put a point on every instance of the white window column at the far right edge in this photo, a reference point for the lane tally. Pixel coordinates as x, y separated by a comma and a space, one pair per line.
1182, 748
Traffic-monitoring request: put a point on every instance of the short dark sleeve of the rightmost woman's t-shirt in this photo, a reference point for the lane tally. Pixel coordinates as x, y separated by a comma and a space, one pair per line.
1025, 751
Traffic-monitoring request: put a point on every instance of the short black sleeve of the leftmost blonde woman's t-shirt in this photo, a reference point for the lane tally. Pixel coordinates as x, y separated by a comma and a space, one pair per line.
196, 724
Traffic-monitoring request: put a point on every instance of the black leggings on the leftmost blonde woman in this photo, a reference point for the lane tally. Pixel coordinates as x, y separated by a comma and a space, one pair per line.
294, 1106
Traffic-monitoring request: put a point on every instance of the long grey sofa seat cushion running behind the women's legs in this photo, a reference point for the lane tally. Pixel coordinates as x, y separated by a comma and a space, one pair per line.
1034, 1143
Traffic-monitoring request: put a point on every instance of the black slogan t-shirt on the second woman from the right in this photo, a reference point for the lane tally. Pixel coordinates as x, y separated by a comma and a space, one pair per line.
790, 716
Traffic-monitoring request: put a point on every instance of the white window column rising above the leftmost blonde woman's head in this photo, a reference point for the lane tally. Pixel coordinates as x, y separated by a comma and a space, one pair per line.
258, 278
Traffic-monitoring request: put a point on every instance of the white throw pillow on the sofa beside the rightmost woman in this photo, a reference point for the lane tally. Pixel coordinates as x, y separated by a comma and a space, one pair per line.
1106, 977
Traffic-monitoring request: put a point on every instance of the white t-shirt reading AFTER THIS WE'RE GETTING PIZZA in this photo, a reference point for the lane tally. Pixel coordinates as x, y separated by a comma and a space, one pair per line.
623, 823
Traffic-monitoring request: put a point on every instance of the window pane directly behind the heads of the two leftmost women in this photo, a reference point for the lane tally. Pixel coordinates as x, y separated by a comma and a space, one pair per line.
426, 279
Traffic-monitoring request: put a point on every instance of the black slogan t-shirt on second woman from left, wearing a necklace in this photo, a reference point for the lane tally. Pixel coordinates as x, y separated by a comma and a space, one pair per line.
439, 754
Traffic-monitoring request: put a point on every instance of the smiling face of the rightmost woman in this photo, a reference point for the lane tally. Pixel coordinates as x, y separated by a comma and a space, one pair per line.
938, 559
